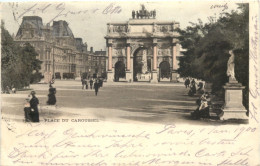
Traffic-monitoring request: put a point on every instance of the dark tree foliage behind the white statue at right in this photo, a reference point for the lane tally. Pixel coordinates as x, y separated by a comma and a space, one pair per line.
208, 44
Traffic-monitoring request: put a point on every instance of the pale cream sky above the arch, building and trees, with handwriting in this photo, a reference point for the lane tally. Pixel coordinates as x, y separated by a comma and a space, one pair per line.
88, 20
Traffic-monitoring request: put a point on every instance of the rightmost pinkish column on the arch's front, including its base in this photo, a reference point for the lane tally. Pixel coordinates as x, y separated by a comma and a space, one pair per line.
174, 60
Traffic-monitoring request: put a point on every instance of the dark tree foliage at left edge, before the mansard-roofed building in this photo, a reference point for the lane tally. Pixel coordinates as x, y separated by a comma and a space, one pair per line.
19, 65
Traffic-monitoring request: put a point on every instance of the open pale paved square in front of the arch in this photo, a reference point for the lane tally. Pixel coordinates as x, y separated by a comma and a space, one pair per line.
124, 102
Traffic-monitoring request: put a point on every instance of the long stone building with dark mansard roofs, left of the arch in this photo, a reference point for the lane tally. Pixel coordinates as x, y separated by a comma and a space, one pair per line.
60, 52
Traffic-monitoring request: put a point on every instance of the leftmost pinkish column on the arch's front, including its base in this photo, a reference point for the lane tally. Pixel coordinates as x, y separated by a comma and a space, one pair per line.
110, 73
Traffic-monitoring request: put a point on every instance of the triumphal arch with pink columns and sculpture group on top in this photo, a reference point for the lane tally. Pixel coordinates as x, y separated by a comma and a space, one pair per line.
142, 49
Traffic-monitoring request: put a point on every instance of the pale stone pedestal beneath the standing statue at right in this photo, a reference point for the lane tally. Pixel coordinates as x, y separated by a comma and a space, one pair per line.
234, 108
